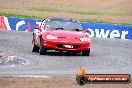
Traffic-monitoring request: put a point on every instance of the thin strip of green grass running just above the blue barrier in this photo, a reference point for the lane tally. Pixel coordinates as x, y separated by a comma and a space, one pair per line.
41, 18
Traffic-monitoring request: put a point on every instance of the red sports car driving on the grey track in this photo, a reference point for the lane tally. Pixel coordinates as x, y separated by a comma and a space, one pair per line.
62, 35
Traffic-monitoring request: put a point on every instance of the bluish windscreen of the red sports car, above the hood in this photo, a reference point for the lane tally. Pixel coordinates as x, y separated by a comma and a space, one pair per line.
63, 24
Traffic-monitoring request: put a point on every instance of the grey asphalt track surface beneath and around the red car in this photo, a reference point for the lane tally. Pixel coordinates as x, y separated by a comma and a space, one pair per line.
107, 56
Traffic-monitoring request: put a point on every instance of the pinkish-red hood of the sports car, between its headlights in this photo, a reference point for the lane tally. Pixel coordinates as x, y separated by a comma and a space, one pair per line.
66, 33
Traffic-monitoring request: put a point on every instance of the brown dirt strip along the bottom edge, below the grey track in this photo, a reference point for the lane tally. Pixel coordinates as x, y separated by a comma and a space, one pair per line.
52, 82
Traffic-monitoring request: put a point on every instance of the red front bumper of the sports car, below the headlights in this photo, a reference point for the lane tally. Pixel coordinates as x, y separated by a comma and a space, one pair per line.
58, 44
